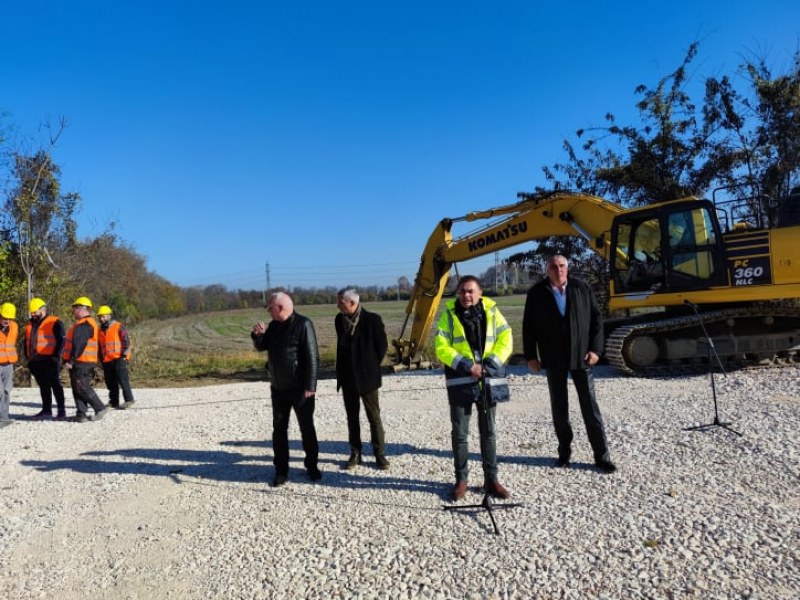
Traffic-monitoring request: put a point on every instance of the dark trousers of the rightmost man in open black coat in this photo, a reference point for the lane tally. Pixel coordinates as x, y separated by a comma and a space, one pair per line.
592, 419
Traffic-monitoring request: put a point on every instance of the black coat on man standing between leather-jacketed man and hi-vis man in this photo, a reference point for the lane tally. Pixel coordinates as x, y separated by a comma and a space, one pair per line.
365, 352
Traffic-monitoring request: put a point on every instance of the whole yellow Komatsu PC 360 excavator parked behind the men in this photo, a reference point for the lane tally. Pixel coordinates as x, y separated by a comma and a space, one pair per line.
668, 260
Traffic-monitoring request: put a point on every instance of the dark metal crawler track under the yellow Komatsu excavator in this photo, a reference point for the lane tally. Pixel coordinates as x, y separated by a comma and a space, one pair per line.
741, 337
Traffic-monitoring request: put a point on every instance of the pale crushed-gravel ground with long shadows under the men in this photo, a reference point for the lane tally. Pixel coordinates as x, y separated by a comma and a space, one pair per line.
171, 498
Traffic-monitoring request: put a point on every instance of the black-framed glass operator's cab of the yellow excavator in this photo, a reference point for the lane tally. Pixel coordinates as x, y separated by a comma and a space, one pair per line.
674, 247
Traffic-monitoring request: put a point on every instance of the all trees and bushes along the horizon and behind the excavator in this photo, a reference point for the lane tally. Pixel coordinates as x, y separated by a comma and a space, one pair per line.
741, 142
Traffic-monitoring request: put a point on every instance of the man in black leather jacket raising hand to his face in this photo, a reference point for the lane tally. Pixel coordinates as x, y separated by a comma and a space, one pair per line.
292, 363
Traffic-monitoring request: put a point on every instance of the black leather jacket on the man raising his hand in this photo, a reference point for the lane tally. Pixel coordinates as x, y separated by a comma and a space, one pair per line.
292, 353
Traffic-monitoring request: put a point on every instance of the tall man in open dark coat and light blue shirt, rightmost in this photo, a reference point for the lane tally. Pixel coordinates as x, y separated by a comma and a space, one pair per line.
562, 331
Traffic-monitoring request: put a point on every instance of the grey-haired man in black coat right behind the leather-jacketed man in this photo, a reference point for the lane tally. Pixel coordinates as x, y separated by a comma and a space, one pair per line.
360, 348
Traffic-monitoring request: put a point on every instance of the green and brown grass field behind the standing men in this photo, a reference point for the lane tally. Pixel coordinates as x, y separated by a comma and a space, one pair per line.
216, 346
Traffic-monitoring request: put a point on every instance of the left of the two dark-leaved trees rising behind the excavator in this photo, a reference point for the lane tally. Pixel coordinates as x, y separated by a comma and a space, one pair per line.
672, 154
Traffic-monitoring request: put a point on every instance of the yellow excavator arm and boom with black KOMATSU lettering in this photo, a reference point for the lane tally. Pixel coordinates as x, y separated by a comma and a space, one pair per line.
534, 217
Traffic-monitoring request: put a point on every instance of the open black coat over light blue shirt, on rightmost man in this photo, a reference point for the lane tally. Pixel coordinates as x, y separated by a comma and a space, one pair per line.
562, 341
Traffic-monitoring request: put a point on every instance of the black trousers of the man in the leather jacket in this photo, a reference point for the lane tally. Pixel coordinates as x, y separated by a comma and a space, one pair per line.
283, 402
